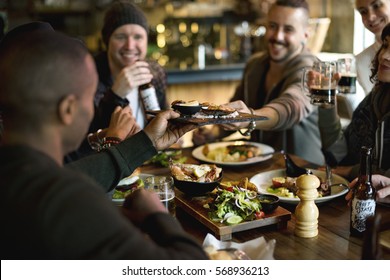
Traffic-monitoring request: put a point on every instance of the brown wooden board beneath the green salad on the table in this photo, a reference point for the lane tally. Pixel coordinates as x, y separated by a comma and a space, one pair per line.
194, 207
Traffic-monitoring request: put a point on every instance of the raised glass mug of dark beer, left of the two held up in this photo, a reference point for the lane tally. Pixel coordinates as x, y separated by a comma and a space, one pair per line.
320, 83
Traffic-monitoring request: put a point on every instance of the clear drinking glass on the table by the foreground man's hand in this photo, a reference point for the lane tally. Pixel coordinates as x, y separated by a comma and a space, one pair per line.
164, 188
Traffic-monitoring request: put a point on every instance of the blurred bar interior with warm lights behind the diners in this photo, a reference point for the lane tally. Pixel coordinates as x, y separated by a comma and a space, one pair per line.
202, 44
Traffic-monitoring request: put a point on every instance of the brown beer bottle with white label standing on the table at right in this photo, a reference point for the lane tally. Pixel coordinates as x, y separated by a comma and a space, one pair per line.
363, 201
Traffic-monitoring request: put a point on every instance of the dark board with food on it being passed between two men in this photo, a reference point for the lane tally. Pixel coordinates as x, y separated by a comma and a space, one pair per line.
201, 114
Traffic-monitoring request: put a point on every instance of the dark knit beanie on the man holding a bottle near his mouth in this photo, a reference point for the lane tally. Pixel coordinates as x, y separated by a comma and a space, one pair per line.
121, 13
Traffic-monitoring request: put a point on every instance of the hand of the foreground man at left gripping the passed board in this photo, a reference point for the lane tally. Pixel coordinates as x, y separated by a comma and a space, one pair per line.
164, 133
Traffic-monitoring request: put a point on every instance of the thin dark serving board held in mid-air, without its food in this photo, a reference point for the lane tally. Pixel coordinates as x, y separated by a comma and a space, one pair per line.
242, 117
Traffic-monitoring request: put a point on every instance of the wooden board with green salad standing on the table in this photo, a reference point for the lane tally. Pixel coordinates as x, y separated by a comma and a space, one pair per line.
232, 206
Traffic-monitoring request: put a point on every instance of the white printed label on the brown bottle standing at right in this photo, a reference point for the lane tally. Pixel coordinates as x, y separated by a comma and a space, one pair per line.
361, 210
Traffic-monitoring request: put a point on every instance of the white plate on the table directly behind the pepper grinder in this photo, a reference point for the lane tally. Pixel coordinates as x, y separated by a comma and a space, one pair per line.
264, 180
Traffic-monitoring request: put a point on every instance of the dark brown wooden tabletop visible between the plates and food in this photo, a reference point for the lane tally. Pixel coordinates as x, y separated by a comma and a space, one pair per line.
332, 242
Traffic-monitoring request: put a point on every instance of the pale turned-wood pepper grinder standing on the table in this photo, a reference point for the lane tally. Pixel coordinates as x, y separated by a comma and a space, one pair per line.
306, 213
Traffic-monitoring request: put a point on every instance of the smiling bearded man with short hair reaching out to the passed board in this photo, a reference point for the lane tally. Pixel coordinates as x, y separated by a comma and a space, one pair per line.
271, 84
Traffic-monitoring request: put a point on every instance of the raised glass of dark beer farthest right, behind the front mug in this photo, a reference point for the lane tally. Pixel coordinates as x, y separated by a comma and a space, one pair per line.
347, 69
